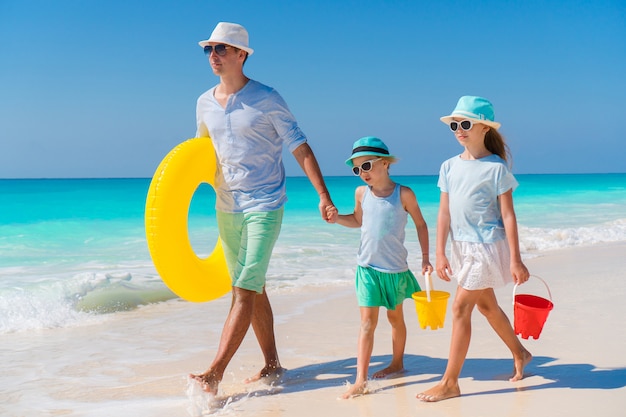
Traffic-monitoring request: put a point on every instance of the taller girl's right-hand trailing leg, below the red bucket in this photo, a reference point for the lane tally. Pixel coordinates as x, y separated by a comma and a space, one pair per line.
488, 306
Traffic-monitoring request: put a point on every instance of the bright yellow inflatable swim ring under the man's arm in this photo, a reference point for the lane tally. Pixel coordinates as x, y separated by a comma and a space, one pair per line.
175, 181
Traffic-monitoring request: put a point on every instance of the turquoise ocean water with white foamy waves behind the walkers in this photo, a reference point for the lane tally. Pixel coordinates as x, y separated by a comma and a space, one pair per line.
73, 251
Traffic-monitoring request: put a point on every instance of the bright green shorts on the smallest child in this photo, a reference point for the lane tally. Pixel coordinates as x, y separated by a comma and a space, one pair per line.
384, 289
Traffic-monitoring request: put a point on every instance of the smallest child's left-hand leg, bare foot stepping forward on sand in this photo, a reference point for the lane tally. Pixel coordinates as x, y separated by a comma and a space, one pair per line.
369, 320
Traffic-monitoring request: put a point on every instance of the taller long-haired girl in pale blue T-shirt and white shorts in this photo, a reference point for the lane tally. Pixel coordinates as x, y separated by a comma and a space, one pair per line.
476, 210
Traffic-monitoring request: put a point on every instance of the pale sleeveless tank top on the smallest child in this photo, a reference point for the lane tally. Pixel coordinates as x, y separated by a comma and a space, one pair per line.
382, 233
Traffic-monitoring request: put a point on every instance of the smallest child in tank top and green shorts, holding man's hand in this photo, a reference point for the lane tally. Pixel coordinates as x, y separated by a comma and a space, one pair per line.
383, 277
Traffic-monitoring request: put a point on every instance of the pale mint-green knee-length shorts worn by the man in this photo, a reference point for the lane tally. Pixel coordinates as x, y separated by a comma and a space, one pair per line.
248, 240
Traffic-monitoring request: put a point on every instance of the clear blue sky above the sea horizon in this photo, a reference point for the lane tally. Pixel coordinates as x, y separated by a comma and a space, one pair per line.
107, 88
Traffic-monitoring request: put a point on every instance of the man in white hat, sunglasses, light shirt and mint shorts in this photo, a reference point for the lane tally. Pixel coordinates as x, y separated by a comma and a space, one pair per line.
249, 124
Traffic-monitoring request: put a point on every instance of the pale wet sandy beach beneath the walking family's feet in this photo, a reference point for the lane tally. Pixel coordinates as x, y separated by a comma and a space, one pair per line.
136, 363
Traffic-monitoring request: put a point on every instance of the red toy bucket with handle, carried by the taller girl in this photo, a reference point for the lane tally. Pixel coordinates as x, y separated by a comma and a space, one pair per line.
530, 312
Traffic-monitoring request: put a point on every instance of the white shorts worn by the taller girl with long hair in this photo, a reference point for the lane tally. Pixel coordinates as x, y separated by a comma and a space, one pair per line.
477, 266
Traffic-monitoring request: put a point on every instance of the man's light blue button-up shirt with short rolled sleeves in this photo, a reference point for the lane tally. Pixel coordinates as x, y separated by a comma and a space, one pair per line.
248, 136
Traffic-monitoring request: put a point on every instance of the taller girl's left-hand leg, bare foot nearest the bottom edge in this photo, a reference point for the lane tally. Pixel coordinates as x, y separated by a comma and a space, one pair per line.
462, 308
